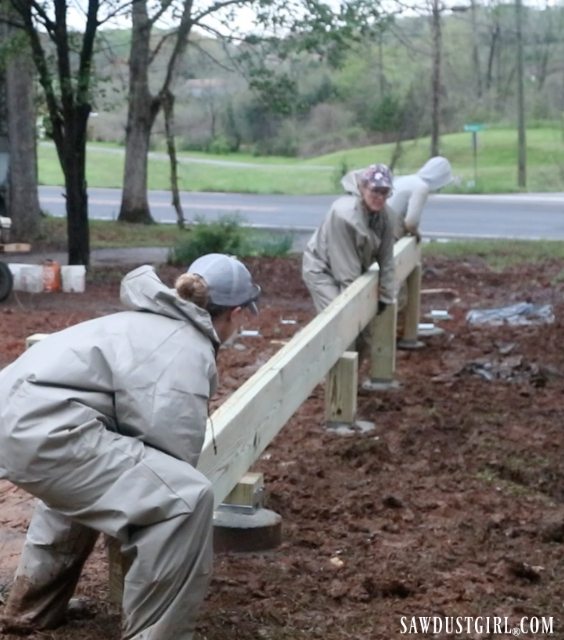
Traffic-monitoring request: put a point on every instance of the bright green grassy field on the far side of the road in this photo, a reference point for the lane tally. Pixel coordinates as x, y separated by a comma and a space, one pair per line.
496, 165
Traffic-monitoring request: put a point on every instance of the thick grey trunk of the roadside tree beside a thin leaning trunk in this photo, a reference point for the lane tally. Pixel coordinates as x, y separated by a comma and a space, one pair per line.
143, 108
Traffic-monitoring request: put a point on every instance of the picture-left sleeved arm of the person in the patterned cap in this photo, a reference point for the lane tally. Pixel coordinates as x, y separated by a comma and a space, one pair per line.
343, 251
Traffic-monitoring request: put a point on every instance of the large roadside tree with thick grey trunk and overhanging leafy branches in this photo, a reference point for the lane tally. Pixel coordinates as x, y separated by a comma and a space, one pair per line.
308, 25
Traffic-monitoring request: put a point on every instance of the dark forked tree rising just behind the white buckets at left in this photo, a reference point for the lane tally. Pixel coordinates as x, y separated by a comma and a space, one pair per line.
63, 59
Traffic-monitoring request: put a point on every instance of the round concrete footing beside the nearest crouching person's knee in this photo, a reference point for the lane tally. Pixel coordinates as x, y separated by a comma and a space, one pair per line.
257, 530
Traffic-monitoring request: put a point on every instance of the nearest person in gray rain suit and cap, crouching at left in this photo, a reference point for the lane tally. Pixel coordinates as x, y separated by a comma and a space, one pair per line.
104, 423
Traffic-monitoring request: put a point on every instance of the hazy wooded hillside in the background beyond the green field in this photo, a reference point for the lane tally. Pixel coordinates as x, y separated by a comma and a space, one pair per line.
265, 99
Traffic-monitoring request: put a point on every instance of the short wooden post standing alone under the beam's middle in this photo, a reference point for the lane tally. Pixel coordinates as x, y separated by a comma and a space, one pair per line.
341, 388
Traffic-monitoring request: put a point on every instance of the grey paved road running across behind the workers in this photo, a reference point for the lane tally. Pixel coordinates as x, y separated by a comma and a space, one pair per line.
533, 216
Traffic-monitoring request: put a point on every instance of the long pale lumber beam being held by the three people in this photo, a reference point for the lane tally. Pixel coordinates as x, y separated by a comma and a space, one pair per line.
246, 423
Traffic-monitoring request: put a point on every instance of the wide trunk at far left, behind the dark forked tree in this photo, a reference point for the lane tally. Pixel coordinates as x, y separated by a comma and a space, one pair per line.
23, 197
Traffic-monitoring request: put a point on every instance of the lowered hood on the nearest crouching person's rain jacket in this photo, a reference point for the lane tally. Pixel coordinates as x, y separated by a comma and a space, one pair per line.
142, 290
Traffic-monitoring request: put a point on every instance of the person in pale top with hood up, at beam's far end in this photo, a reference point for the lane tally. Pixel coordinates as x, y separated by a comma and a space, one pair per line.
411, 192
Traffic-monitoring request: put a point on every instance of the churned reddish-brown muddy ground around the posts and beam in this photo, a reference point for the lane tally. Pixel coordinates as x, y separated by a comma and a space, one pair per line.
452, 506
